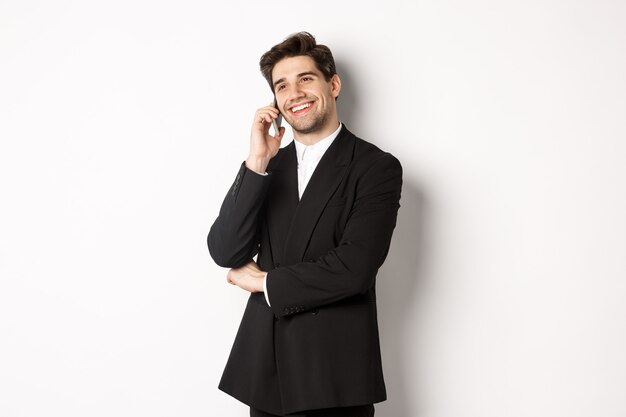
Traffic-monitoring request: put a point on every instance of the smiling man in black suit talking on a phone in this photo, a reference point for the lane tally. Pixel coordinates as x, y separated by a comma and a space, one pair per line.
319, 213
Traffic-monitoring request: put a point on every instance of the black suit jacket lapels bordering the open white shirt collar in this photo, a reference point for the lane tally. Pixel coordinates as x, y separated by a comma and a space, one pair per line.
325, 180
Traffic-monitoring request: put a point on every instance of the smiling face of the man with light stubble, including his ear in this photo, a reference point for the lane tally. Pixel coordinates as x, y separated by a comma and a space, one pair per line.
305, 98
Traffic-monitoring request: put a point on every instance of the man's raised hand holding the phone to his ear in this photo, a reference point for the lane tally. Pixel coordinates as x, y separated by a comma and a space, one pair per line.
263, 146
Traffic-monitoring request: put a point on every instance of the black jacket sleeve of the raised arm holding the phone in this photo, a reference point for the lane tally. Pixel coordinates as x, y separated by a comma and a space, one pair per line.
234, 239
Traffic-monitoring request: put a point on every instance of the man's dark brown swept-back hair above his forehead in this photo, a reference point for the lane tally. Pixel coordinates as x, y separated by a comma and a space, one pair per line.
301, 43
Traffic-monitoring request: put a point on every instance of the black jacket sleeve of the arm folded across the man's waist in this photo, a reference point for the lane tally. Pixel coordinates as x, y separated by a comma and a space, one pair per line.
351, 267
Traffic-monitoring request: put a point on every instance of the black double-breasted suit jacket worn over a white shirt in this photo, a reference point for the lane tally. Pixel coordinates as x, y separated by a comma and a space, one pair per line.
317, 346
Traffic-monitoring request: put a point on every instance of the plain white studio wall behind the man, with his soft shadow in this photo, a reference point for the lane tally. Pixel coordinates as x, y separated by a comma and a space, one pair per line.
123, 124
